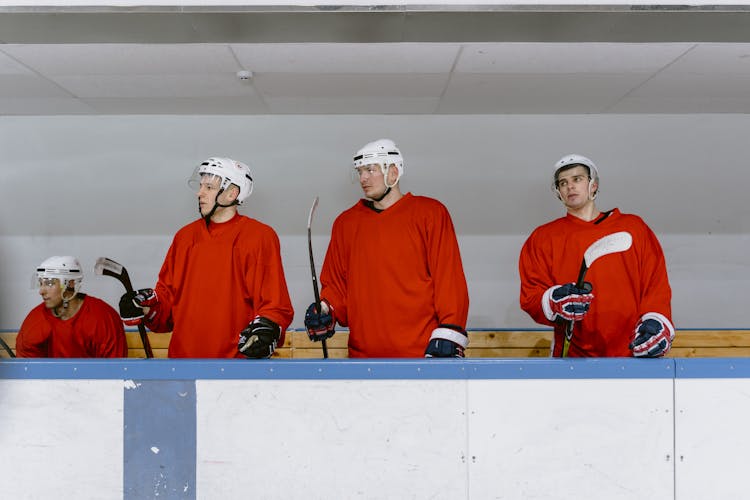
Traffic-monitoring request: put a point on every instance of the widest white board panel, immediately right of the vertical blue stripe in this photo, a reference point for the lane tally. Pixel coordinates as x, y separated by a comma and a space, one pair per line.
331, 439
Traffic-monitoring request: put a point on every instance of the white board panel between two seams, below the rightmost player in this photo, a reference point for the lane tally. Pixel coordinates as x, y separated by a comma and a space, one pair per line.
571, 439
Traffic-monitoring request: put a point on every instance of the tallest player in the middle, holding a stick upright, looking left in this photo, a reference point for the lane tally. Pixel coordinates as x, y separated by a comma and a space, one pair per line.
393, 271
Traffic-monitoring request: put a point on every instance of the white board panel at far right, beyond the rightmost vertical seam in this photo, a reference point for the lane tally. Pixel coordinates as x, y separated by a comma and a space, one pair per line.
713, 437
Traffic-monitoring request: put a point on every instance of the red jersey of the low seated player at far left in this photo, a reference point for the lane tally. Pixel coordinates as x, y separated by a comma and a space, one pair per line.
95, 331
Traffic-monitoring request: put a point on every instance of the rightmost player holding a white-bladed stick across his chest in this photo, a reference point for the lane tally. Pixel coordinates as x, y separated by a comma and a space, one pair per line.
624, 309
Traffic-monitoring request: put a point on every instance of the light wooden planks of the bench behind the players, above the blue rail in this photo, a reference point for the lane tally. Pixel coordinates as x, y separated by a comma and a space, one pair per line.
482, 344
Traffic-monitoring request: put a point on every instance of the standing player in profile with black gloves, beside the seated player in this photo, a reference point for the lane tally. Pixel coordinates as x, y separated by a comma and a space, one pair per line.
221, 290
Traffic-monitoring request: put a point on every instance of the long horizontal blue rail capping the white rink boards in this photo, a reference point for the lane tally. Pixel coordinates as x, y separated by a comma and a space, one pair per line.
342, 369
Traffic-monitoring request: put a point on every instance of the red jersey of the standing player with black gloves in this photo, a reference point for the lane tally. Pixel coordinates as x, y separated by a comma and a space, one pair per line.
214, 281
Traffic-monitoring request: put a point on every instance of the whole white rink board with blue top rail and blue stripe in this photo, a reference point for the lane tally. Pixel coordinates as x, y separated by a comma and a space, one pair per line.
584, 429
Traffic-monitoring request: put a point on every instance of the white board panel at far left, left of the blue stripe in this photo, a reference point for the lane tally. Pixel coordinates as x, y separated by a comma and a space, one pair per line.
61, 439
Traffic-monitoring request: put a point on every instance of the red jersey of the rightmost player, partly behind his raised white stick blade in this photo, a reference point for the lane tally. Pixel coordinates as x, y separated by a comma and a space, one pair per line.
626, 284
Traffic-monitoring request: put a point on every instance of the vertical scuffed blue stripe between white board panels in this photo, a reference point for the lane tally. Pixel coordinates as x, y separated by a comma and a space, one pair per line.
159, 437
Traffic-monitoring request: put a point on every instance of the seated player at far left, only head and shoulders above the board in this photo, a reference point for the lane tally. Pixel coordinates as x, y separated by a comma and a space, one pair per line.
68, 323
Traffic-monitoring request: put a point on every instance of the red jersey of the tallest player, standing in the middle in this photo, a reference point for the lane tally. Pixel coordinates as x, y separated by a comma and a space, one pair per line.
393, 276
